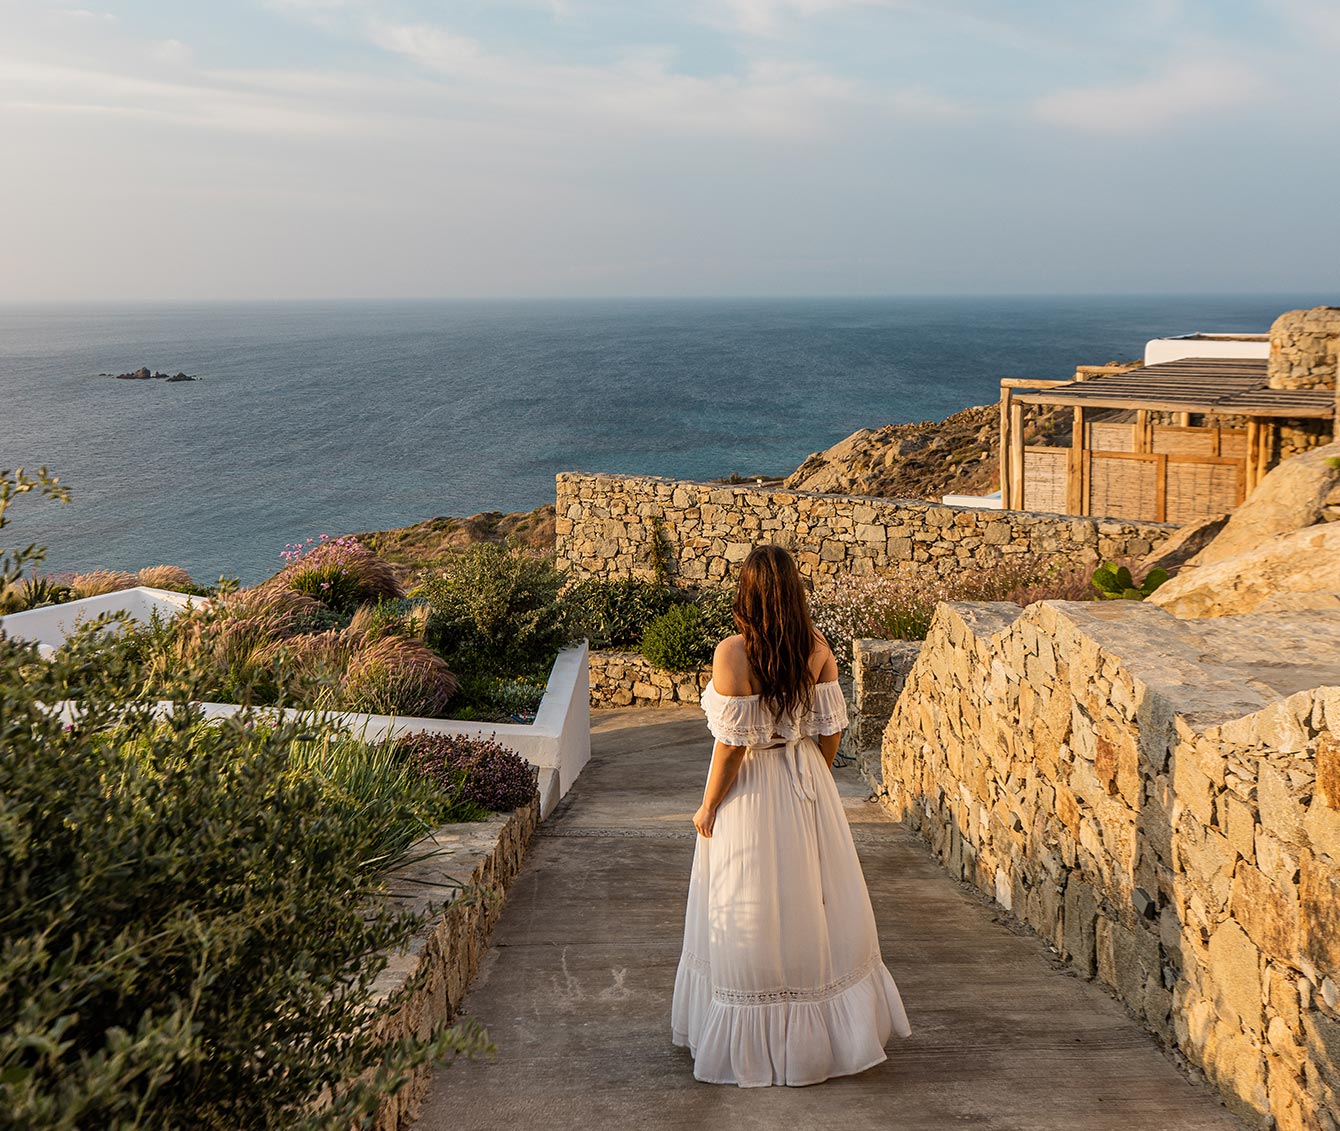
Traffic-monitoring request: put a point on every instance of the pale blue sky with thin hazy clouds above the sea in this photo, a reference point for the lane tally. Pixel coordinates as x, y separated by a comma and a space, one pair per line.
384, 149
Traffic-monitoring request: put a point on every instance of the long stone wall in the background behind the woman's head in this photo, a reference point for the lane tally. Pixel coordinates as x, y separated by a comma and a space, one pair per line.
625, 526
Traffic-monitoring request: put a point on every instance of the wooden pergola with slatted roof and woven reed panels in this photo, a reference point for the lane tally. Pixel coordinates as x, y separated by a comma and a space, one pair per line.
1150, 463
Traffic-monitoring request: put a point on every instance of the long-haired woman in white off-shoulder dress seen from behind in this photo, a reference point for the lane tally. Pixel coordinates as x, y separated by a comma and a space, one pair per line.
781, 980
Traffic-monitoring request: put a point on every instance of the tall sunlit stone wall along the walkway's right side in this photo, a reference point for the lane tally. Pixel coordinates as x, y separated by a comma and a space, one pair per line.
1161, 801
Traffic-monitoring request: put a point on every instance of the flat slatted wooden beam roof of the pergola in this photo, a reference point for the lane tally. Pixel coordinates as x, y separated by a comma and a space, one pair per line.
1235, 387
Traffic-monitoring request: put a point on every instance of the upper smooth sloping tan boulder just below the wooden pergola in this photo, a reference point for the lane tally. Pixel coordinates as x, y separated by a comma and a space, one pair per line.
1292, 496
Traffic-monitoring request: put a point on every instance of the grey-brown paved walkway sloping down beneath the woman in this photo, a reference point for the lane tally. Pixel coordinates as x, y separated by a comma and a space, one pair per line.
576, 991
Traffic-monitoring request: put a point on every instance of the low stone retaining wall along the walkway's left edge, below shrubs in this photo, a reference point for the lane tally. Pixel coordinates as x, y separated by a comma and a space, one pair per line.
486, 857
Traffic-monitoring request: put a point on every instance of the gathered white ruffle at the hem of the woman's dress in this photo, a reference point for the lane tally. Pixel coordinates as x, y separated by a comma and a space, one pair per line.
793, 1043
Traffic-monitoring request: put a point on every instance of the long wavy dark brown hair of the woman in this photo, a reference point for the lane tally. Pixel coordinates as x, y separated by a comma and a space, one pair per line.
773, 613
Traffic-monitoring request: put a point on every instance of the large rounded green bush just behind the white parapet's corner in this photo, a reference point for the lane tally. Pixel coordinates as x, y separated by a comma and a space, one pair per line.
496, 612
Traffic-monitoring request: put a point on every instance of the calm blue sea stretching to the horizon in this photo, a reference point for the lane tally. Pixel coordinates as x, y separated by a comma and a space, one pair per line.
334, 417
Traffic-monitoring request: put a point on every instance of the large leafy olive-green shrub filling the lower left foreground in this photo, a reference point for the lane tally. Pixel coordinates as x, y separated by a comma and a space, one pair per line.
188, 936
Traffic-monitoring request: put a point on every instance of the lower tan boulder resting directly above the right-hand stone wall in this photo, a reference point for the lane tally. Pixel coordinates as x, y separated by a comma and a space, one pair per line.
1298, 563
